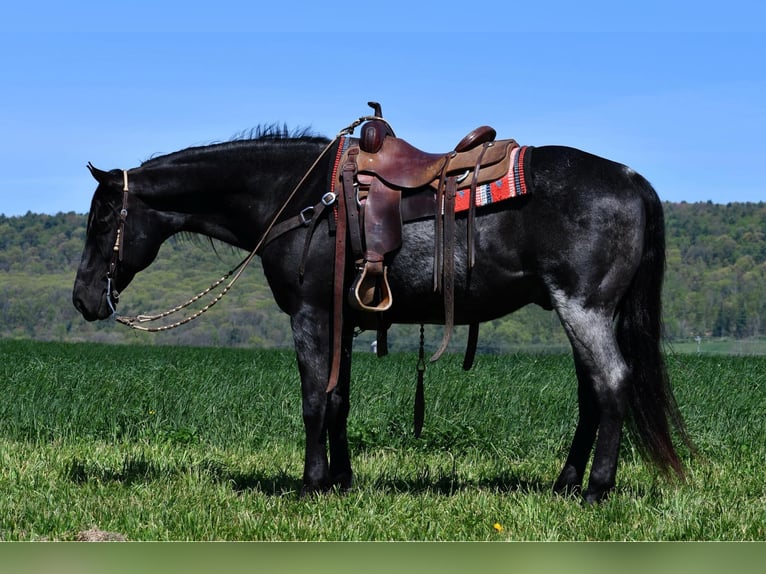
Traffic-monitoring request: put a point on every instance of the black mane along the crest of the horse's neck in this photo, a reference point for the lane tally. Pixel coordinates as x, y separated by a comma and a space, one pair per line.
266, 133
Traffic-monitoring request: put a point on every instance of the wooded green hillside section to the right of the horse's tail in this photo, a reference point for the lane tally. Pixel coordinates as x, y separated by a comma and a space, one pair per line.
716, 261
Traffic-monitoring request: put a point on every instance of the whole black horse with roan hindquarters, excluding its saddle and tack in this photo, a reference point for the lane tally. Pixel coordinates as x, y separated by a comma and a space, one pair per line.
587, 240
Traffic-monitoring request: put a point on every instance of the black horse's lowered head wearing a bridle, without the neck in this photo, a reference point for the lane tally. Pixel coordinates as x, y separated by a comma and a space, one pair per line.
123, 237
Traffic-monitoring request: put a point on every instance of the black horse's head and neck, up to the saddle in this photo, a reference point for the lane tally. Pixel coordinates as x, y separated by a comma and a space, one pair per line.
223, 191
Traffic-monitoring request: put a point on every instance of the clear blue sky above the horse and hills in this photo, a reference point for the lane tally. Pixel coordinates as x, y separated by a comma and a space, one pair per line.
676, 90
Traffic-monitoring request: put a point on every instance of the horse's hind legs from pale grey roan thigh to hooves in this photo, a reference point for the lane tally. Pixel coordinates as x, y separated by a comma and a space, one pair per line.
602, 379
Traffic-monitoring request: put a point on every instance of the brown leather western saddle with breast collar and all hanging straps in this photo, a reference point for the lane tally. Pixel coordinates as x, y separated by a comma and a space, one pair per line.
383, 182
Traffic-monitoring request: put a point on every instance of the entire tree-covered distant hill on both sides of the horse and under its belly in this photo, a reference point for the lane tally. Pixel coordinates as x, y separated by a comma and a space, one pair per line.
714, 287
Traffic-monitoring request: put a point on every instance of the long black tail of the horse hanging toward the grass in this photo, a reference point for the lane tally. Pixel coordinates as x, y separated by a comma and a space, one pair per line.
653, 412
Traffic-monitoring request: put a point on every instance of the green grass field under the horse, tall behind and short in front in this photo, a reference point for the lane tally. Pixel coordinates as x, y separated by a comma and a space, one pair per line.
167, 443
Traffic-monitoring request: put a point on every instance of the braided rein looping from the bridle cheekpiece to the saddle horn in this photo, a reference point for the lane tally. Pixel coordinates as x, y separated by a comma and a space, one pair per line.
135, 322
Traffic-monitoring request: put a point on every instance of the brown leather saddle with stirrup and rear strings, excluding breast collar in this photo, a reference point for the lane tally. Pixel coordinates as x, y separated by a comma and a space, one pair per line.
379, 171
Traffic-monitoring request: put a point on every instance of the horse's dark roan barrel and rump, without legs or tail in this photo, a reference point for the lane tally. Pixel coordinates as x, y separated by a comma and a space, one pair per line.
579, 231
